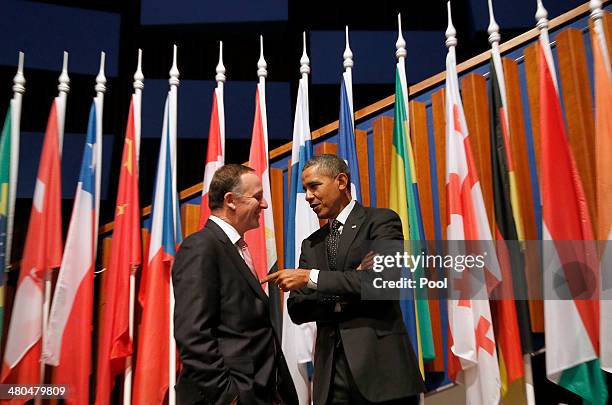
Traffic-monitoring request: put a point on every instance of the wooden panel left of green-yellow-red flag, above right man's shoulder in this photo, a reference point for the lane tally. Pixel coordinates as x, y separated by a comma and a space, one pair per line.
383, 146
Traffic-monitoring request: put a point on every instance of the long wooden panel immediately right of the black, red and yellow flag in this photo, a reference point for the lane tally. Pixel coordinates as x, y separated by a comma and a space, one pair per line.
520, 159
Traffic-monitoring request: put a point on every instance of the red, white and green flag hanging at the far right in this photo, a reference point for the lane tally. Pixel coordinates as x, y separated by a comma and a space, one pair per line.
571, 325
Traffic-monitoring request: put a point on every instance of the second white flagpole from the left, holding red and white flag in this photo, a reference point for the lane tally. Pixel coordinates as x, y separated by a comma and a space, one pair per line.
63, 88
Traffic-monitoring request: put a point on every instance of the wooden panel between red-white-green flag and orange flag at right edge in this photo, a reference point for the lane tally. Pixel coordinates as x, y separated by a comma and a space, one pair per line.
576, 92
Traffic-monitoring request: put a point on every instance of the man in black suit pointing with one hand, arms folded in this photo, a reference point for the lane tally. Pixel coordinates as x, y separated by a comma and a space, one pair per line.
362, 354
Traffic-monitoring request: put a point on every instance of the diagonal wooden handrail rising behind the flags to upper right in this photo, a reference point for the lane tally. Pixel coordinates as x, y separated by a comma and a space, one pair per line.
417, 88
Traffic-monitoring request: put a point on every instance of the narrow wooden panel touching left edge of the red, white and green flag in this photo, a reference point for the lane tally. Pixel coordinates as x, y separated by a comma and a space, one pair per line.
533, 91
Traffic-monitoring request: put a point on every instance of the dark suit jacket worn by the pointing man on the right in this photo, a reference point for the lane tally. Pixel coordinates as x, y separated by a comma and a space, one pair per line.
373, 335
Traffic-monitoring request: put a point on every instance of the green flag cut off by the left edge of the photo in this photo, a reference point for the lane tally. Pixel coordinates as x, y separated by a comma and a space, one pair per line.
5, 197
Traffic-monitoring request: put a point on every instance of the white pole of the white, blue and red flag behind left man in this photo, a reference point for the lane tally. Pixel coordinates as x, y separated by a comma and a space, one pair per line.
174, 82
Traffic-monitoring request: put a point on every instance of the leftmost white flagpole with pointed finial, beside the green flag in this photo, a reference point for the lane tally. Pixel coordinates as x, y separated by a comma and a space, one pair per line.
18, 91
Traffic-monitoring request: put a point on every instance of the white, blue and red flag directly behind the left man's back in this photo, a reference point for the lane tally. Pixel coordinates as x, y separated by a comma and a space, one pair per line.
152, 366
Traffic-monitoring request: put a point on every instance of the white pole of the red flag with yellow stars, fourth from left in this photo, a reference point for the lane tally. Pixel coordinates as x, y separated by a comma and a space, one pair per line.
138, 86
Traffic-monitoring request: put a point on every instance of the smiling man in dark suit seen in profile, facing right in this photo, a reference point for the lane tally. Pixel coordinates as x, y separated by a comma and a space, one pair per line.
230, 351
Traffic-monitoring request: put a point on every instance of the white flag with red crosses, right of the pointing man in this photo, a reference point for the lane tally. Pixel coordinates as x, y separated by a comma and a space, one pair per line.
472, 340
